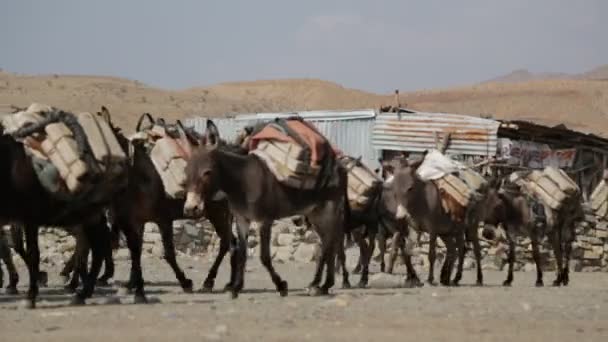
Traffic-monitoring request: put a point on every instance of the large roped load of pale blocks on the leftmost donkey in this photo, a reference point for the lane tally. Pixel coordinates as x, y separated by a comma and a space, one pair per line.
75, 157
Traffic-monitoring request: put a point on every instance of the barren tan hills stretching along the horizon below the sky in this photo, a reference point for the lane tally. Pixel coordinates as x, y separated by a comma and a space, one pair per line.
580, 103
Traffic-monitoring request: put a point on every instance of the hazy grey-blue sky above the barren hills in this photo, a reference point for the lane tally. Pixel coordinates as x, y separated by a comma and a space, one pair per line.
373, 45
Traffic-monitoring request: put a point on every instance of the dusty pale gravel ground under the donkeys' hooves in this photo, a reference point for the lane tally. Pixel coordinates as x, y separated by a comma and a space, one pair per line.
491, 313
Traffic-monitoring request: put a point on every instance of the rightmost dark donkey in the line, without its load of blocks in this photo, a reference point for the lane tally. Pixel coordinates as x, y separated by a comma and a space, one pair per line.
519, 215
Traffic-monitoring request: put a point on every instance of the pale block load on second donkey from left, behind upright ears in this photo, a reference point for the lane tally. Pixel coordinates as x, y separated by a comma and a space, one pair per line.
169, 146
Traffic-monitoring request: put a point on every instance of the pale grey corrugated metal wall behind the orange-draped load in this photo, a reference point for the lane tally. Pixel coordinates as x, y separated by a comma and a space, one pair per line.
352, 136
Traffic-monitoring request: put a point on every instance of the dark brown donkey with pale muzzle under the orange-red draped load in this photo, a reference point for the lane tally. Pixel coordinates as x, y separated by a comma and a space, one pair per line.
256, 197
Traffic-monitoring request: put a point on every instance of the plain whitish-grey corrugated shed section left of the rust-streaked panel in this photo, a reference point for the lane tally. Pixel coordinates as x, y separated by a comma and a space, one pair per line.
350, 131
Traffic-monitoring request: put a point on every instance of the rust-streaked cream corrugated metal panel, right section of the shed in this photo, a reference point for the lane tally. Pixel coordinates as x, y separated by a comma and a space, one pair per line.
415, 132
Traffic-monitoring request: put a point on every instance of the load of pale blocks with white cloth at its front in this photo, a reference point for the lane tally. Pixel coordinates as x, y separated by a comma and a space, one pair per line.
461, 187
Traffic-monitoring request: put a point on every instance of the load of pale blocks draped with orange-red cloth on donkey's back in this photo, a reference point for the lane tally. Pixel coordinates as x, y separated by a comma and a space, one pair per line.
296, 153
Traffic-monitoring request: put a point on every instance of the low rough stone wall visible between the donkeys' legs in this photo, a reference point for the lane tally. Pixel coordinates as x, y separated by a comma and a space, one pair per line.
293, 242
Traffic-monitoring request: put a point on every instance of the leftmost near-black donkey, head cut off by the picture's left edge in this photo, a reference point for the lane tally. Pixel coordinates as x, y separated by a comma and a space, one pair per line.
25, 200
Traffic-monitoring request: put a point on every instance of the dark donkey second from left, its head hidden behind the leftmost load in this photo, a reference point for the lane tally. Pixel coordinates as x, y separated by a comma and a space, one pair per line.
144, 200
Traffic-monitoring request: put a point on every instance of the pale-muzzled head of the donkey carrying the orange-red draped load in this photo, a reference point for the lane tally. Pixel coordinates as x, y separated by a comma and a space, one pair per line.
202, 181
